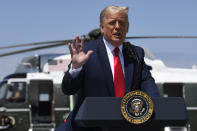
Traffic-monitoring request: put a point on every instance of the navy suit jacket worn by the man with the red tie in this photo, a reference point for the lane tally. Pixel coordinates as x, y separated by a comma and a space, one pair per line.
96, 80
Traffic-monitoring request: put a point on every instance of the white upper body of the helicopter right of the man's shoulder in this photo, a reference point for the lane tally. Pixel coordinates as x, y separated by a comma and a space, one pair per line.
163, 74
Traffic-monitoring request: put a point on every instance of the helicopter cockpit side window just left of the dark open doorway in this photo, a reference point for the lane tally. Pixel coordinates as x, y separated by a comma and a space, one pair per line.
16, 92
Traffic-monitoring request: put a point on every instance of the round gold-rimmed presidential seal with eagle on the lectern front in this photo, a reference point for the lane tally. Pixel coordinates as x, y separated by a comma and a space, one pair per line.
137, 107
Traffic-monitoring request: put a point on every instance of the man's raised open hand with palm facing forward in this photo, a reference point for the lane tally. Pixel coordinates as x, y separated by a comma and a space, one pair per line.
78, 55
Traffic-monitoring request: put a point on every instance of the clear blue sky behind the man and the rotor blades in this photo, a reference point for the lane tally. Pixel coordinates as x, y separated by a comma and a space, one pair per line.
23, 21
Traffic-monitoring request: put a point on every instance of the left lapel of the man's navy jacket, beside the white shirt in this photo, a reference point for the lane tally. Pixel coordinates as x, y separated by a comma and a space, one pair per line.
105, 65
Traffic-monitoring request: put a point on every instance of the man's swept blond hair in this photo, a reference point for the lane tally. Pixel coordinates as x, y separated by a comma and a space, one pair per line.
117, 9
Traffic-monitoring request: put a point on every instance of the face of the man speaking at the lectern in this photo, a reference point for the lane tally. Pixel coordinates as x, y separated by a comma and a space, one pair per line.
114, 28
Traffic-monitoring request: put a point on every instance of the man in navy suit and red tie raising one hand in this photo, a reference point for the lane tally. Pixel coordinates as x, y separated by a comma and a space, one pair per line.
93, 71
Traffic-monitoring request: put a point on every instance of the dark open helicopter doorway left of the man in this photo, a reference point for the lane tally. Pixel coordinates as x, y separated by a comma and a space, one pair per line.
40, 98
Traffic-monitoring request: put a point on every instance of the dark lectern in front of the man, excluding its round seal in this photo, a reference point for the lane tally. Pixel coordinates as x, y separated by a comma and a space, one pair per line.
105, 113
